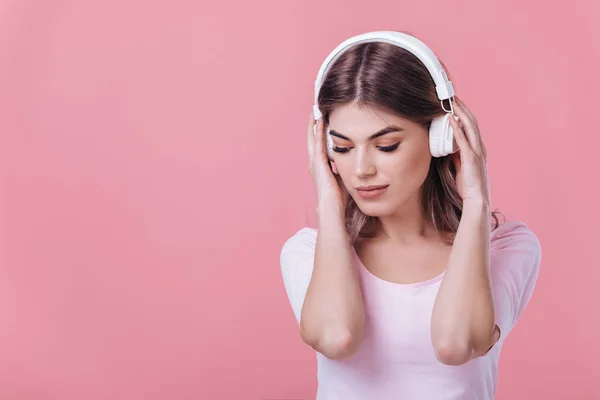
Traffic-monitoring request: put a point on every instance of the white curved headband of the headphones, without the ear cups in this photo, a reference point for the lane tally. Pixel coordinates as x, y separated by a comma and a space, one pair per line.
443, 86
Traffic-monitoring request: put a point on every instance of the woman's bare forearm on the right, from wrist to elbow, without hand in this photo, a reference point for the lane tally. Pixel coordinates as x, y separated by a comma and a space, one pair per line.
463, 321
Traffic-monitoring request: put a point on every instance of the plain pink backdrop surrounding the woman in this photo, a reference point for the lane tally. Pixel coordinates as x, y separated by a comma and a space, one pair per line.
153, 162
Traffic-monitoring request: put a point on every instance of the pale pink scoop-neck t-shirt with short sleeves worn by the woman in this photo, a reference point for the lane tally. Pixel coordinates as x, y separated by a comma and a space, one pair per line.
396, 359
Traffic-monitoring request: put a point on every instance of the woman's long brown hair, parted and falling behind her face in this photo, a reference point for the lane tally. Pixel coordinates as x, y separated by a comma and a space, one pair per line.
385, 76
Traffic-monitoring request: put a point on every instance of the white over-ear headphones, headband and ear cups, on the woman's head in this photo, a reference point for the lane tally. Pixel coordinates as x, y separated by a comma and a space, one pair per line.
441, 141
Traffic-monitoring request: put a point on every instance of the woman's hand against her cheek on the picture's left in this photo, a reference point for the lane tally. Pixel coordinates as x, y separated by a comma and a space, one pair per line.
330, 190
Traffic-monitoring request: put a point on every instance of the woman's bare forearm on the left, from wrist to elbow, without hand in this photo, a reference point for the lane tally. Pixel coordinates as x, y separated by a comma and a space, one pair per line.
332, 319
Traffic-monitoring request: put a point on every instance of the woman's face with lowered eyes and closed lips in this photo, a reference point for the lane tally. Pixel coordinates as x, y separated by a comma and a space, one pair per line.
374, 147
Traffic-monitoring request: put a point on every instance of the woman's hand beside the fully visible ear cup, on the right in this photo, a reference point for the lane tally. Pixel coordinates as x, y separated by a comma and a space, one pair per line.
470, 160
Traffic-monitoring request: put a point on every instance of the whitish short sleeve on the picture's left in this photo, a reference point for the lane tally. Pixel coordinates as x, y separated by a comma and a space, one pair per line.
296, 261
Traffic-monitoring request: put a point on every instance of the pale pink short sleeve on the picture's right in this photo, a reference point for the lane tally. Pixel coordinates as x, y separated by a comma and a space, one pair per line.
515, 258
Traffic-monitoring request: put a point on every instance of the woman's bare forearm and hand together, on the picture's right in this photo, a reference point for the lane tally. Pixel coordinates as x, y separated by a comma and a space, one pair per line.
463, 320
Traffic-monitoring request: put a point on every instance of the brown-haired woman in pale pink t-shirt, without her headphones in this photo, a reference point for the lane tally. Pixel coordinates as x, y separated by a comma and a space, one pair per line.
410, 284
